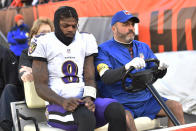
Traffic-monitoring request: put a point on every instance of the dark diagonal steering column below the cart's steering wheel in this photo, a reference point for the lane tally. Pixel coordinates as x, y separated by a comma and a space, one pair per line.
162, 103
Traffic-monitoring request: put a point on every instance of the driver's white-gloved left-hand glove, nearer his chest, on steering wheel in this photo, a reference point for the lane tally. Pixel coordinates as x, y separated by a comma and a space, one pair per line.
137, 63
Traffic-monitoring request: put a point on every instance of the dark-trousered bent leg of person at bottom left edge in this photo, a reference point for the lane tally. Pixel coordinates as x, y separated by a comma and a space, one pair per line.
11, 93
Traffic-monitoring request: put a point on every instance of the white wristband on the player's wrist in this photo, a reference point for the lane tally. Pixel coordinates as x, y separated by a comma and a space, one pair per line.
89, 91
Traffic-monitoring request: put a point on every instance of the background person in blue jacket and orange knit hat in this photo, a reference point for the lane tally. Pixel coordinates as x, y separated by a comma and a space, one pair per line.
18, 36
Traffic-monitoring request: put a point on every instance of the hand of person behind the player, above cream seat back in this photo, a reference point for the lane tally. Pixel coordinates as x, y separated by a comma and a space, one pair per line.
27, 75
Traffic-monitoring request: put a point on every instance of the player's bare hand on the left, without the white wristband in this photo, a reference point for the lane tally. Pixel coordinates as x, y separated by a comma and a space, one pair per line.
70, 104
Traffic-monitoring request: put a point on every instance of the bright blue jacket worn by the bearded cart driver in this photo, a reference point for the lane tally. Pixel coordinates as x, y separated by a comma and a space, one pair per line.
115, 55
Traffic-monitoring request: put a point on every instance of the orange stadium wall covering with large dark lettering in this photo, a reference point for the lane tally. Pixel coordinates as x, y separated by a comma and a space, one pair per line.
165, 25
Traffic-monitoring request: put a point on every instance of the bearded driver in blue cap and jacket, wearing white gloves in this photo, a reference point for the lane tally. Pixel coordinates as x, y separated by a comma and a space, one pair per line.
115, 57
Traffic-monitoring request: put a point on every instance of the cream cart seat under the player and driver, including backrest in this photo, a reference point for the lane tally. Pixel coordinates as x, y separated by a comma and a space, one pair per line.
34, 101
